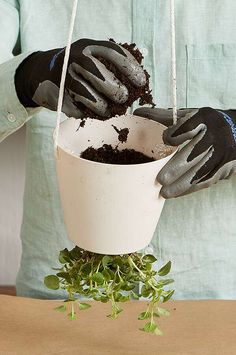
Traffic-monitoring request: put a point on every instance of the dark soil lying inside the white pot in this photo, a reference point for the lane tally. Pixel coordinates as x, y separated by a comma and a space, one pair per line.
107, 154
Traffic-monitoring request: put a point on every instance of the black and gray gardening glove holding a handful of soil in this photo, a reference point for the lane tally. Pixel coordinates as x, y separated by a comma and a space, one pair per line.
88, 81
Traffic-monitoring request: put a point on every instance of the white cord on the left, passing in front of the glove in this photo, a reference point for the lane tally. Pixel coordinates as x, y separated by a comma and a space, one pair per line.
63, 75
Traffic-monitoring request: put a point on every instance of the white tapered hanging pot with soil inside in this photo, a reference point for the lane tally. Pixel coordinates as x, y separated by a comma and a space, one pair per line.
110, 209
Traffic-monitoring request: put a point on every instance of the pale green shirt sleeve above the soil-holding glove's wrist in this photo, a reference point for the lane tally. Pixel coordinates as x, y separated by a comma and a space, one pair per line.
13, 114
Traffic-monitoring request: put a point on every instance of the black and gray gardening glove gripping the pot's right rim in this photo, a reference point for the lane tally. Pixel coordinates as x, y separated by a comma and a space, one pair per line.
208, 154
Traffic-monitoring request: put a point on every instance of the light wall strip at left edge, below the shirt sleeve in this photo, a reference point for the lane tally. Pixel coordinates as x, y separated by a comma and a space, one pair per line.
12, 175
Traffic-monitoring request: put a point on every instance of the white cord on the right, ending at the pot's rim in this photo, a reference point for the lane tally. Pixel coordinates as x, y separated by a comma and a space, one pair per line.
173, 61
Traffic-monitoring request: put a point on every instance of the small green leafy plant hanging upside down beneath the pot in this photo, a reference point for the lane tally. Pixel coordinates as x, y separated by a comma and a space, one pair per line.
111, 278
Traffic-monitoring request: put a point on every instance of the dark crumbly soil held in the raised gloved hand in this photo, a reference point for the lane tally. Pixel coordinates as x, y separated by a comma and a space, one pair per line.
142, 93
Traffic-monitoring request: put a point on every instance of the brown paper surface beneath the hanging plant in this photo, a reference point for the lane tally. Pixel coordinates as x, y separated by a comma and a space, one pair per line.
32, 327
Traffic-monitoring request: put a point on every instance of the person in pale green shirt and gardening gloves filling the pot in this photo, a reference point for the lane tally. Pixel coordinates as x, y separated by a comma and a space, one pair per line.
196, 230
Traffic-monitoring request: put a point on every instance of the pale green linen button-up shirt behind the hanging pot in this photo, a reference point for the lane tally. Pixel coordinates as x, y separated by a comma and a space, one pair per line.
196, 232
